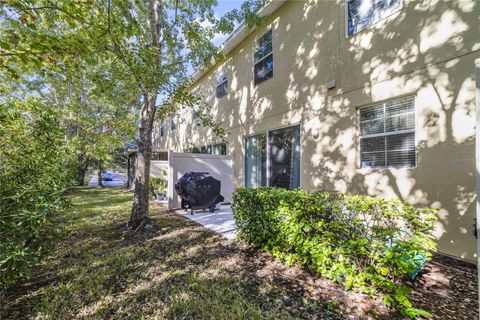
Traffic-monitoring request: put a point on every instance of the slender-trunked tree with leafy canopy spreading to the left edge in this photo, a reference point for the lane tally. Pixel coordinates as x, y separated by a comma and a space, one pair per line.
152, 45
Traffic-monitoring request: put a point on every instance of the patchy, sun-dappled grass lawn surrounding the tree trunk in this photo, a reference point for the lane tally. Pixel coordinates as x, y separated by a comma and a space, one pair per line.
180, 271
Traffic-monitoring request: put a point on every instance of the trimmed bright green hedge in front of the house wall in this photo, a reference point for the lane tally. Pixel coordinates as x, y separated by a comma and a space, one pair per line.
367, 244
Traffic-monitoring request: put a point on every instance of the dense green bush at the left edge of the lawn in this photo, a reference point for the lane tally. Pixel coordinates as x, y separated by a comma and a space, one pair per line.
33, 178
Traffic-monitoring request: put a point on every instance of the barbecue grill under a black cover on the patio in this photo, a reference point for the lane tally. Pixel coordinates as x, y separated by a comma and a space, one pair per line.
198, 190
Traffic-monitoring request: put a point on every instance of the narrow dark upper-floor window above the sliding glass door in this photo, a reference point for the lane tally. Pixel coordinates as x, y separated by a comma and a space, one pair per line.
263, 58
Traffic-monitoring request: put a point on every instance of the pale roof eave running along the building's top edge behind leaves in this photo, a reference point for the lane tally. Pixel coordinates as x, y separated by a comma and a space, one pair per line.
237, 36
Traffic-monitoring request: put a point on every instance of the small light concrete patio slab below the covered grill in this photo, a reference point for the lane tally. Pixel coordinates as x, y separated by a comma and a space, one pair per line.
221, 221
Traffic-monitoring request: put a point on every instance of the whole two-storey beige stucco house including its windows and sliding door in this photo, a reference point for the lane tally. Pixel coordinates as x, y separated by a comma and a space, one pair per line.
360, 96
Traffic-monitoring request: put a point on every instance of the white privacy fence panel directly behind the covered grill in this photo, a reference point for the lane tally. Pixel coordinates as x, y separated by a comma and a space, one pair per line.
219, 167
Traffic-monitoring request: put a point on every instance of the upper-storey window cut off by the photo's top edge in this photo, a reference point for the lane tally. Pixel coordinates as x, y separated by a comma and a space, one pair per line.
363, 13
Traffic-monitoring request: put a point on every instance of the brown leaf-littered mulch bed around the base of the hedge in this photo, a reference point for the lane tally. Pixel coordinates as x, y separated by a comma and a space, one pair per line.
446, 287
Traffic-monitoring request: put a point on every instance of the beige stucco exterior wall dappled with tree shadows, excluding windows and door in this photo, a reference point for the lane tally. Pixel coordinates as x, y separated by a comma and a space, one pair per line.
426, 50
